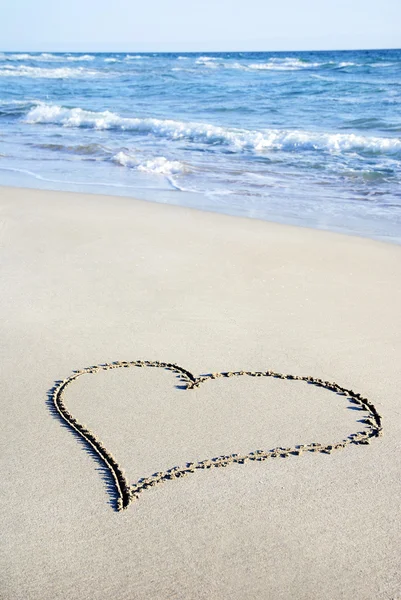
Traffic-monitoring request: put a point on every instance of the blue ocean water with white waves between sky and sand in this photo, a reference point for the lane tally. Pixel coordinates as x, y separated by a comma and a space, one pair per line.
307, 138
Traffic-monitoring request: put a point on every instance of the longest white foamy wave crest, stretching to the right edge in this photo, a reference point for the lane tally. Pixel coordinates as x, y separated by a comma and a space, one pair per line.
237, 139
